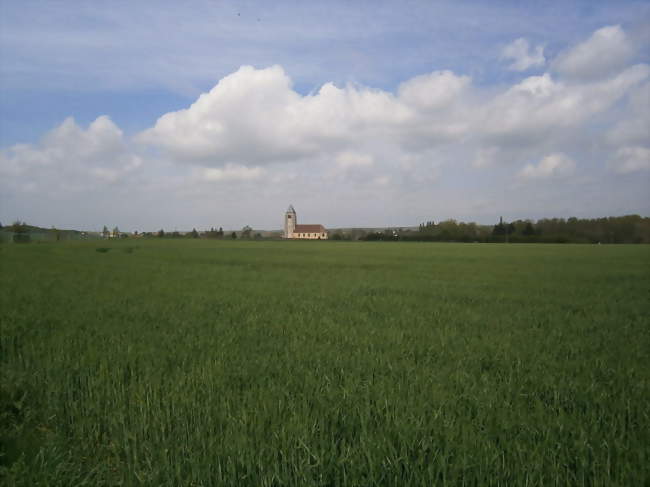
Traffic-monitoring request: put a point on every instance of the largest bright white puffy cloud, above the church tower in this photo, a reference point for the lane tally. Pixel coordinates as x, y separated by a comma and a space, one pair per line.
254, 117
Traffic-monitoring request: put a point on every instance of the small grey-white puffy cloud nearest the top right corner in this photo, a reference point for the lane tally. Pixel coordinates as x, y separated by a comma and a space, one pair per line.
605, 52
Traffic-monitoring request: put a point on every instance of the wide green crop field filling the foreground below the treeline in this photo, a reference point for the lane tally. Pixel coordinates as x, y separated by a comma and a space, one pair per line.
196, 362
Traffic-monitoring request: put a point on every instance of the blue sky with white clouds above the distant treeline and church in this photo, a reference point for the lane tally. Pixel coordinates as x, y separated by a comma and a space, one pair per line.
180, 115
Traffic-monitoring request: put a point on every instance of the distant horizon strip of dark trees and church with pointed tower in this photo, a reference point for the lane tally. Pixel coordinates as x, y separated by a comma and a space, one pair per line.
621, 229
